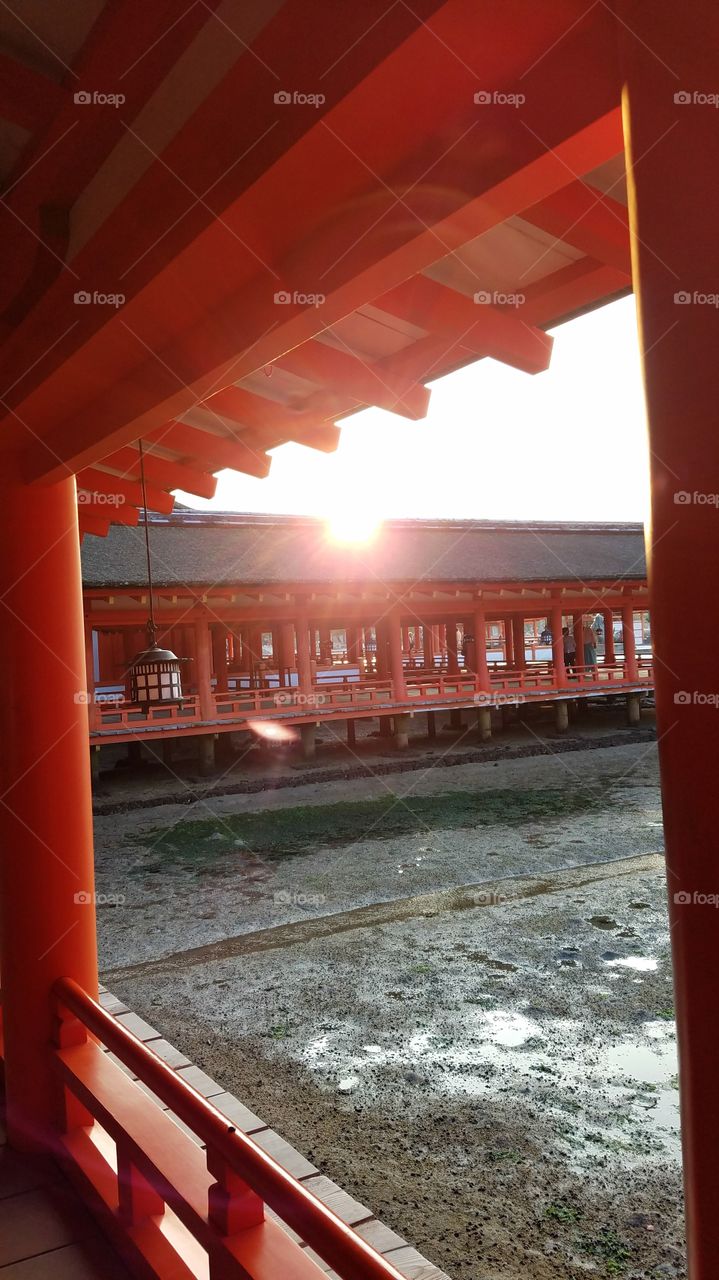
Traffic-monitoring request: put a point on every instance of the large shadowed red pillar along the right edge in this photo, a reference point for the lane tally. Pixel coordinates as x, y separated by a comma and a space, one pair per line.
670, 61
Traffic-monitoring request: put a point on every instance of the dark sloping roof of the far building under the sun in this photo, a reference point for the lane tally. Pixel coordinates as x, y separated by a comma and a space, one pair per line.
218, 550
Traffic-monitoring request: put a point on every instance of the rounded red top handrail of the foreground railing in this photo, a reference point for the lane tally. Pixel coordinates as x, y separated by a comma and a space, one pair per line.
315, 1224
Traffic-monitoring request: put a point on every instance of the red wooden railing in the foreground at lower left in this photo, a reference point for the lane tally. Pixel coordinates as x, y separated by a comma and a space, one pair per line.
173, 1209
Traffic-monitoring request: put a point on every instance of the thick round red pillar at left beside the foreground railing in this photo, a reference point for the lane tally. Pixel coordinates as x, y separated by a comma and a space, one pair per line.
47, 871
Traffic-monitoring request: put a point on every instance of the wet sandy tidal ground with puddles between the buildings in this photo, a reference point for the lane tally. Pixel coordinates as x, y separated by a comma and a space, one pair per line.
470, 1030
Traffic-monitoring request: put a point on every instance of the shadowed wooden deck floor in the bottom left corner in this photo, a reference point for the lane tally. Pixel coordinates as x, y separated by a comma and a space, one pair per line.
45, 1232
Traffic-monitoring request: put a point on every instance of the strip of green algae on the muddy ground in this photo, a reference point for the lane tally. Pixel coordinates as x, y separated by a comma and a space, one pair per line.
280, 833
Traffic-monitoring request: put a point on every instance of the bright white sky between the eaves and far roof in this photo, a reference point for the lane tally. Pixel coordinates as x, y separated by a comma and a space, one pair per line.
497, 444
